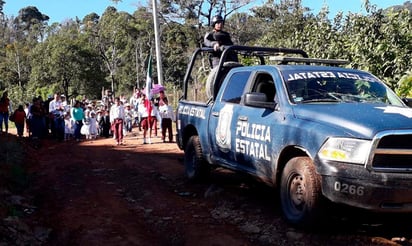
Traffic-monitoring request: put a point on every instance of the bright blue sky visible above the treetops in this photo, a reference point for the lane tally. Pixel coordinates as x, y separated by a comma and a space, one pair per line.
60, 10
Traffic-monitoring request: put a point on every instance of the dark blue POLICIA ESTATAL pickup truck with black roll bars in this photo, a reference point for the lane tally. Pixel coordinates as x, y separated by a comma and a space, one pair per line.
313, 129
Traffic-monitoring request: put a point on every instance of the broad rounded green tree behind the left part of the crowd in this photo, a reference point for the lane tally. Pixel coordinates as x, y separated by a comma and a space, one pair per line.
66, 63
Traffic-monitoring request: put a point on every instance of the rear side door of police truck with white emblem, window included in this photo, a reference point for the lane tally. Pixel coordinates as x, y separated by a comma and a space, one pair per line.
221, 122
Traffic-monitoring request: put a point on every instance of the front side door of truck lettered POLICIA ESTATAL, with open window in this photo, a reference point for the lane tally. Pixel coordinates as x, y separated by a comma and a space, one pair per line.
254, 129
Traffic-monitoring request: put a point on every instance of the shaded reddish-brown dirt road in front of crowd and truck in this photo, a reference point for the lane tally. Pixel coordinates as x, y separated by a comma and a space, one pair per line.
96, 193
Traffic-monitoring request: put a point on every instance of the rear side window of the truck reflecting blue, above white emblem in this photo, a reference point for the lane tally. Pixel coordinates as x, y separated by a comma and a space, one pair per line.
235, 87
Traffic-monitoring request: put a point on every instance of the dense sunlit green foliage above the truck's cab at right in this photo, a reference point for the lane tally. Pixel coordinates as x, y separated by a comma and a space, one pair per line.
379, 42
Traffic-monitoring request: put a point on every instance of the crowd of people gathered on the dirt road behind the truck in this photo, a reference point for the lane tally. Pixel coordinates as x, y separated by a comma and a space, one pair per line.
84, 119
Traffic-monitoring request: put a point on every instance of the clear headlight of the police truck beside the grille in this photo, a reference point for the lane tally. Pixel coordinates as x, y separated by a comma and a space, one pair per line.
345, 150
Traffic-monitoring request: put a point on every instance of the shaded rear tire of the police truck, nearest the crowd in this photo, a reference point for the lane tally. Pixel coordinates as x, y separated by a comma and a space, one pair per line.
196, 168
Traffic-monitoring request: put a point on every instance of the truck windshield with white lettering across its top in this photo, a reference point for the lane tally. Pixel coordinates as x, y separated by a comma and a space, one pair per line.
337, 86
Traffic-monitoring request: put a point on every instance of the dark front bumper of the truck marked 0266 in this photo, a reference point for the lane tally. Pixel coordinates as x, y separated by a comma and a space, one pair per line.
357, 186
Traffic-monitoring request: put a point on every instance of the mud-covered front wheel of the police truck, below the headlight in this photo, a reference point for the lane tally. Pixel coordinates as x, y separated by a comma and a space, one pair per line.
300, 192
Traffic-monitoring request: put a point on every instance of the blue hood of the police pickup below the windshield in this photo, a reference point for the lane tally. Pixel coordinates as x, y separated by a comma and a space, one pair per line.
361, 120
